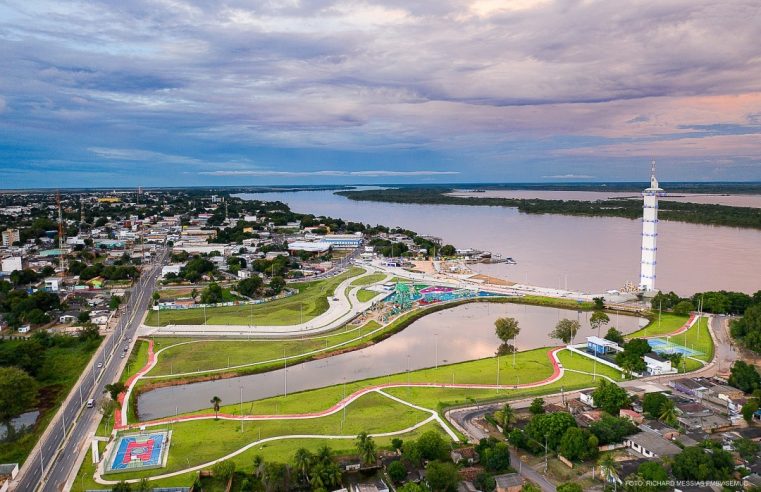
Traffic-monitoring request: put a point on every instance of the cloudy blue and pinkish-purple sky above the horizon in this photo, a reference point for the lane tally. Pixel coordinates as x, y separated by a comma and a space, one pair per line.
192, 92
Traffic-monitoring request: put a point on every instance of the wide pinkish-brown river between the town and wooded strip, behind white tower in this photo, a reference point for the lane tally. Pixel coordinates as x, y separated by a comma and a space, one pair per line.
590, 254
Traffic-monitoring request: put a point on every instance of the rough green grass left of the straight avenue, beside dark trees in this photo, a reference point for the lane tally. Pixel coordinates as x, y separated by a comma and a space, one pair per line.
61, 368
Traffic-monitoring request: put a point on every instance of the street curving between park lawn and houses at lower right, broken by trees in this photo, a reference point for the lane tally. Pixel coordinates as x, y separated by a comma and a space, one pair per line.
724, 356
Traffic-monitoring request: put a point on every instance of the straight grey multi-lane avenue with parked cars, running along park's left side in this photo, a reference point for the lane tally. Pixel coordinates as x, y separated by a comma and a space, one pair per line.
48, 467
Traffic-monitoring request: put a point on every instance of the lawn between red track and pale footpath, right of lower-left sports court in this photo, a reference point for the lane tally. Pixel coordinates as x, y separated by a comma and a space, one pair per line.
197, 442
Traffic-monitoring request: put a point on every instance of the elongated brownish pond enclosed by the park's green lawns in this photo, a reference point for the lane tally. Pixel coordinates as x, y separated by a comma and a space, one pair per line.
465, 332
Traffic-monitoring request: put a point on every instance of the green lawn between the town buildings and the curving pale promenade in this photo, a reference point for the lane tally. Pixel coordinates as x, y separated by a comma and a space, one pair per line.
310, 302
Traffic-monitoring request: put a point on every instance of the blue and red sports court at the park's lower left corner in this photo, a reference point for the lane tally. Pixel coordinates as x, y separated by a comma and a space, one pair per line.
139, 452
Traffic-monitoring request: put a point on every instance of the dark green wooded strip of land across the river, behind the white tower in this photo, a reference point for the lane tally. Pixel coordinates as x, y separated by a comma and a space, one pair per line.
697, 213
